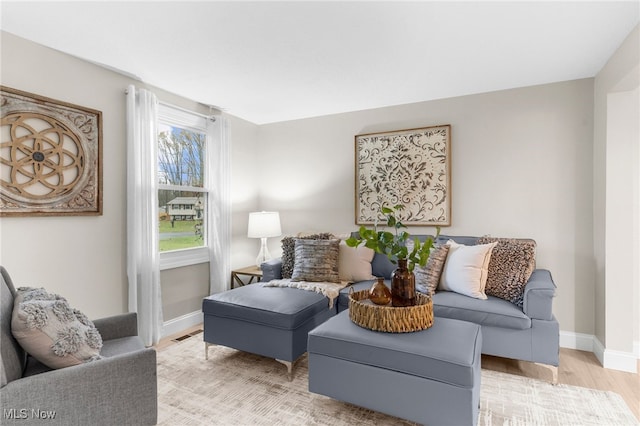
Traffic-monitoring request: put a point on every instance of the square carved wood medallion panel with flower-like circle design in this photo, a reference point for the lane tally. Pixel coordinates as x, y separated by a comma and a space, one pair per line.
50, 156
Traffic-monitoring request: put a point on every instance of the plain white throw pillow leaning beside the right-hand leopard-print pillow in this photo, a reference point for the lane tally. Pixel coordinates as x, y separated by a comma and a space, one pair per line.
466, 269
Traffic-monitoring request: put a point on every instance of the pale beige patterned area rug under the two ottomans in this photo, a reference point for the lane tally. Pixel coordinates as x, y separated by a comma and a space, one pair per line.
237, 388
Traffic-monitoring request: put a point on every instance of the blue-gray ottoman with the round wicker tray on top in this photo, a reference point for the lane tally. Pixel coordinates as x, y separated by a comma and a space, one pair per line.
430, 377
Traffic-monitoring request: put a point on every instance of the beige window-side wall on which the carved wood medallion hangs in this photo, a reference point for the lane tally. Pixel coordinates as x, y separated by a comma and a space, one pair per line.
84, 258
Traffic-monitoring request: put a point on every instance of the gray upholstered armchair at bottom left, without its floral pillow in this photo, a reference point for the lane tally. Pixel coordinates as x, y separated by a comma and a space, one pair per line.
119, 389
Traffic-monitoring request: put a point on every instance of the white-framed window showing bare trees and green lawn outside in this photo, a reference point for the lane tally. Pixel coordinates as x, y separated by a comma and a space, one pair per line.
182, 193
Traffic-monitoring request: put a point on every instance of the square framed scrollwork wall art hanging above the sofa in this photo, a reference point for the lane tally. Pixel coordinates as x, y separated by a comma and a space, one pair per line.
408, 167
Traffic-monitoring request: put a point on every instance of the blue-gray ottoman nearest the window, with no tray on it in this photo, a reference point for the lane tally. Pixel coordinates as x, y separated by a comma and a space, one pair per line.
272, 321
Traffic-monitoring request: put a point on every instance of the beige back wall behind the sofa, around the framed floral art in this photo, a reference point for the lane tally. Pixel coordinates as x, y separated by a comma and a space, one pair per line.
521, 167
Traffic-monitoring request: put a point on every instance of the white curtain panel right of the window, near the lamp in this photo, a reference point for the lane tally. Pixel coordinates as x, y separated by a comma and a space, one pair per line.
219, 211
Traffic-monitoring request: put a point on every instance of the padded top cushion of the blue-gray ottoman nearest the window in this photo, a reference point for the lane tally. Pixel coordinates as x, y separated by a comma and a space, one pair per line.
277, 307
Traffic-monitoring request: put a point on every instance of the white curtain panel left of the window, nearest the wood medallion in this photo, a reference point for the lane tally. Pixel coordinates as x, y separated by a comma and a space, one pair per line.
143, 260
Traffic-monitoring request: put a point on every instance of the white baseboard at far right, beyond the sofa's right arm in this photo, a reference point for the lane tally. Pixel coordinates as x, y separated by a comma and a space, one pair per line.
614, 360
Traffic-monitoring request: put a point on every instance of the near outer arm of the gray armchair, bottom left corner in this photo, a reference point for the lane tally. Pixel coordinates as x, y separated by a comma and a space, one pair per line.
116, 390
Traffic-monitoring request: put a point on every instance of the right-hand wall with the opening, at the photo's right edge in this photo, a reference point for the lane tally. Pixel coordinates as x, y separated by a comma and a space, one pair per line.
615, 142
